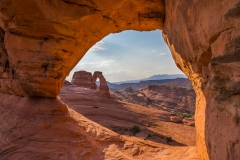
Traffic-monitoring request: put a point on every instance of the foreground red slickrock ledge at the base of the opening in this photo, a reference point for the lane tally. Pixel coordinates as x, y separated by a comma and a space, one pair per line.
31, 130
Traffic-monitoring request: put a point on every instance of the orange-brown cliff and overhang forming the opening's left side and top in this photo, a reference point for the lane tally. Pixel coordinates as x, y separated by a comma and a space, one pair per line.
44, 40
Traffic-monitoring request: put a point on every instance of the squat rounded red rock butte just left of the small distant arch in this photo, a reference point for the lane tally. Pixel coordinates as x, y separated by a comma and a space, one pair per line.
82, 79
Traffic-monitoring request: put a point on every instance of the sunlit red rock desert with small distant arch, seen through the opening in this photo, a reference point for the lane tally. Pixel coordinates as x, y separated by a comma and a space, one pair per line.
159, 120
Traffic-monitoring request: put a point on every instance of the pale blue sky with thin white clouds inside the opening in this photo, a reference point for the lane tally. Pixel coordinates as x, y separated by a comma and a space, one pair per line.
129, 55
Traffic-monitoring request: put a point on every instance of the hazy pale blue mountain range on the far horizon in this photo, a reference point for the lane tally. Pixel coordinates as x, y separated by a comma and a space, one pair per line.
154, 77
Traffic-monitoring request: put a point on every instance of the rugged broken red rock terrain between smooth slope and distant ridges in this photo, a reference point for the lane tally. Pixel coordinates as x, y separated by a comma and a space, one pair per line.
169, 98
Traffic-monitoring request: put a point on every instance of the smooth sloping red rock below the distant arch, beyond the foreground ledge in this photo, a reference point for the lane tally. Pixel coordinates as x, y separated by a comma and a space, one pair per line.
120, 117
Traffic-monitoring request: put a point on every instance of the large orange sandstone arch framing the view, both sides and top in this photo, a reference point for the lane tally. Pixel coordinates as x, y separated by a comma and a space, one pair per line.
41, 41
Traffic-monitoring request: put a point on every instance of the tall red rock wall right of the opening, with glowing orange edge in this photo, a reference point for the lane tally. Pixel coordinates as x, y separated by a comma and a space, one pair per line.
204, 39
